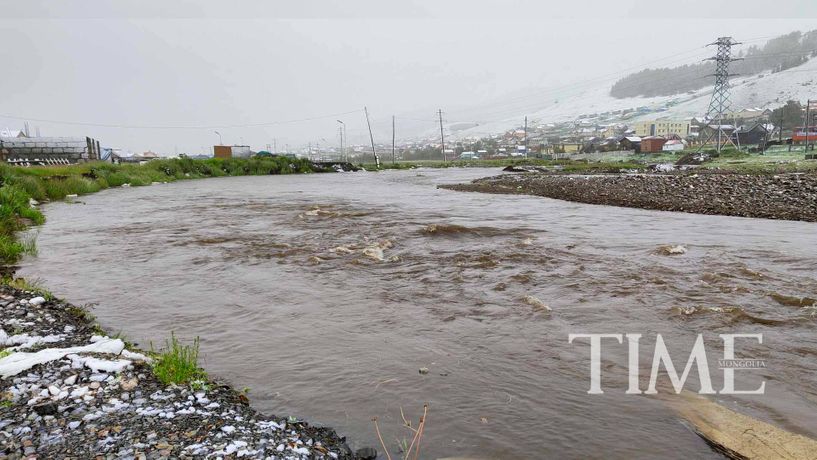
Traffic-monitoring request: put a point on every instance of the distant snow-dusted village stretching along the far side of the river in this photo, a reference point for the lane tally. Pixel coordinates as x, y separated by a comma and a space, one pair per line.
751, 129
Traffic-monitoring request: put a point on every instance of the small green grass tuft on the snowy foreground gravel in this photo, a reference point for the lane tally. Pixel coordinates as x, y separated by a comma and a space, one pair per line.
178, 363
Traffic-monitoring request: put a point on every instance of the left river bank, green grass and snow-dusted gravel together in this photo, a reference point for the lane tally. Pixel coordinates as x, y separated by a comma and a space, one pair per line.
68, 390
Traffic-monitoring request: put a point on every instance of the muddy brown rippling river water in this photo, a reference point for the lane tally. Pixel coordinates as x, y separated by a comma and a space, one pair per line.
325, 295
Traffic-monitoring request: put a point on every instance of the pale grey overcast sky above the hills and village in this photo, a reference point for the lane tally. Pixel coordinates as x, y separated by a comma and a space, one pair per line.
165, 75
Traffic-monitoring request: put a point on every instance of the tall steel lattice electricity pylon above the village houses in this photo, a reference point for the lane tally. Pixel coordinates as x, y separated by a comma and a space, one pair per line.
719, 105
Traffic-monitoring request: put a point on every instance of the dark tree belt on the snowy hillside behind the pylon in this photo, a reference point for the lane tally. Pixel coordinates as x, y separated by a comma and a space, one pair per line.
778, 54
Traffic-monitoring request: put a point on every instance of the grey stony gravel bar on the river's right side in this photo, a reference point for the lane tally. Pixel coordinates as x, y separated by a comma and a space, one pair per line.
782, 196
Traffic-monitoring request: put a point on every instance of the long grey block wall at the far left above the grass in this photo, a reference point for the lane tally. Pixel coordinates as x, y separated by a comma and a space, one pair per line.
49, 150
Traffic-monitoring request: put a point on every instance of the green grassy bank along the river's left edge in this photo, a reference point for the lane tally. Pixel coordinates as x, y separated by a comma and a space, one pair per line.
18, 186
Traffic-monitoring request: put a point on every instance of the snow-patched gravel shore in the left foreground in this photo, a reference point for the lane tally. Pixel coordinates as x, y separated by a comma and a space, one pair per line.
68, 391
